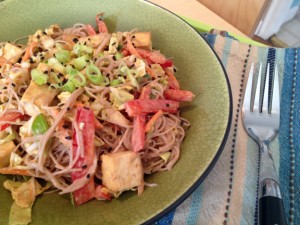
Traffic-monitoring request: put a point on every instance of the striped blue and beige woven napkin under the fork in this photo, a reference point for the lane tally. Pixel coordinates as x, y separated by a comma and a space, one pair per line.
229, 194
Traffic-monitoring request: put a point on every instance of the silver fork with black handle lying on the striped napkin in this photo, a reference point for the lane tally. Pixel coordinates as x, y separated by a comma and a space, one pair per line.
262, 124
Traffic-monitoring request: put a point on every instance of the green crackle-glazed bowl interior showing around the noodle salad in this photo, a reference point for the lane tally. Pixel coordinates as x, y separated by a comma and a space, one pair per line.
199, 70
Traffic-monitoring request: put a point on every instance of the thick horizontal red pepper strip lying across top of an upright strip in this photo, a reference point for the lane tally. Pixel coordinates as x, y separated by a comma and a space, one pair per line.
139, 106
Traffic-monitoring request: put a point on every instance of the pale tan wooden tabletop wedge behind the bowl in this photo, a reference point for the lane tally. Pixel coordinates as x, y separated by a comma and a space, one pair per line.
195, 10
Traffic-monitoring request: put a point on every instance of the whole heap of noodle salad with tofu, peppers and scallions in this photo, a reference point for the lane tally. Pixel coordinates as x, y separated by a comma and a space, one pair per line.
89, 112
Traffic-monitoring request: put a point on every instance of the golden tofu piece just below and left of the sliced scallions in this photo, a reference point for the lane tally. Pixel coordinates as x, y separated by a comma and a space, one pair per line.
36, 96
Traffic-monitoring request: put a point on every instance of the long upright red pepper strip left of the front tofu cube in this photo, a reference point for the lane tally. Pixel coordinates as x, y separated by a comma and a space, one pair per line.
85, 118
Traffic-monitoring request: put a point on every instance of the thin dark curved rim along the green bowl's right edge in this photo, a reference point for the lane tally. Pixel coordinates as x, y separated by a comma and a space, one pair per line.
192, 188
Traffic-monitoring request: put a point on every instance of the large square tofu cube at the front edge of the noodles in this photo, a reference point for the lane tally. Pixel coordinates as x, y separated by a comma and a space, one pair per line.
122, 171
